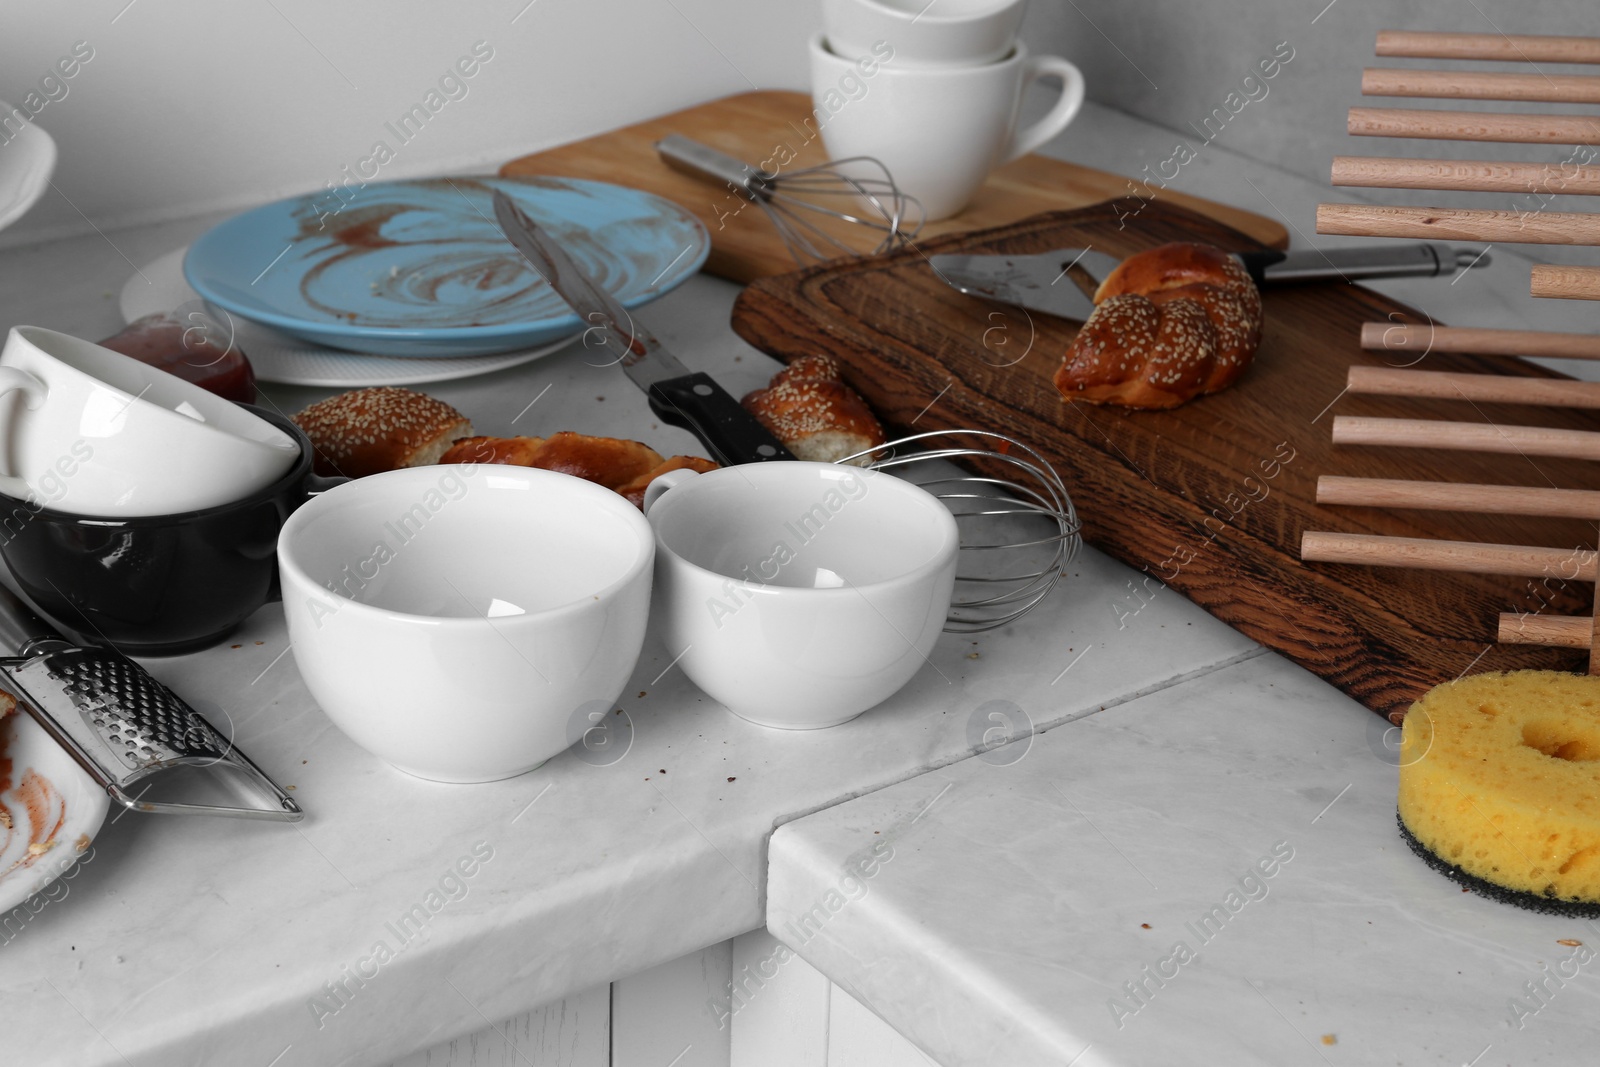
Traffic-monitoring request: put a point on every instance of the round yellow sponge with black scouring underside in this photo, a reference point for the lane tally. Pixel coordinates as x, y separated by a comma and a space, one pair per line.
1500, 788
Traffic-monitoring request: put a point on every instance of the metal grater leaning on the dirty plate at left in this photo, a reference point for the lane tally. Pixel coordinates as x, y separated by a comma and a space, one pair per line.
135, 737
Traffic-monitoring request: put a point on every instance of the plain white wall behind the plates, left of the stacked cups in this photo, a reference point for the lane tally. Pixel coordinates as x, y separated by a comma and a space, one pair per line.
201, 105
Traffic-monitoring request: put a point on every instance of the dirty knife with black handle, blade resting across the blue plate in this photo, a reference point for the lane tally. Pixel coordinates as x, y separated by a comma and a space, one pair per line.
687, 399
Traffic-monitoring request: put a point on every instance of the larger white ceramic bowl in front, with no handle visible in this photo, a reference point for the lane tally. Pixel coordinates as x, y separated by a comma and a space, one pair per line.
460, 620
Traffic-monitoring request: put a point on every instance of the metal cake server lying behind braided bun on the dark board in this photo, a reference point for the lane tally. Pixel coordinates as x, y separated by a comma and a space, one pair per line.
1063, 282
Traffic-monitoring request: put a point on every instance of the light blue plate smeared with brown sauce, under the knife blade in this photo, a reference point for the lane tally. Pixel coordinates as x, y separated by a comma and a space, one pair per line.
420, 268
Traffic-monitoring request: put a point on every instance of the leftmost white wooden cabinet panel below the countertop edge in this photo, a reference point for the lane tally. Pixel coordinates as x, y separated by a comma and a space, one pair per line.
574, 1033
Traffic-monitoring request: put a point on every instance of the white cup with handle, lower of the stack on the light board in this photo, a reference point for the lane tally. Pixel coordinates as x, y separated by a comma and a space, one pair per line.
938, 130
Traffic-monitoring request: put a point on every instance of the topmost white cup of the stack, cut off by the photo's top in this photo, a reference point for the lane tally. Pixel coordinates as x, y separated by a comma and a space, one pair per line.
922, 34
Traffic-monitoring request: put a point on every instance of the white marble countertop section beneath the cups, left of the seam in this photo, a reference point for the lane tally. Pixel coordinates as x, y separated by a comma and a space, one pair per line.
196, 941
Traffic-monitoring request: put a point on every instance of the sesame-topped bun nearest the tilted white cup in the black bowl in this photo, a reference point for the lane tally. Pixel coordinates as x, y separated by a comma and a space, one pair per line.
370, 431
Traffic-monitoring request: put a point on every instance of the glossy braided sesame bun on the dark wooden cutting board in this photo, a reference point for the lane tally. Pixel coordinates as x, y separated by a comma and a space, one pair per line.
1169, 326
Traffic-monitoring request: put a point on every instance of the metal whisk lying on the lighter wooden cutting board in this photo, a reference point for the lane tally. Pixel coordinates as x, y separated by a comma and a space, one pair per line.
788, 198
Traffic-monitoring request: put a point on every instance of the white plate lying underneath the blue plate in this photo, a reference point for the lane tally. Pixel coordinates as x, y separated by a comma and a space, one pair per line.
278, 358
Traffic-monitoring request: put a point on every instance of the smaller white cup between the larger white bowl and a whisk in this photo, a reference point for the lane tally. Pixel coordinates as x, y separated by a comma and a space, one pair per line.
801, 594
